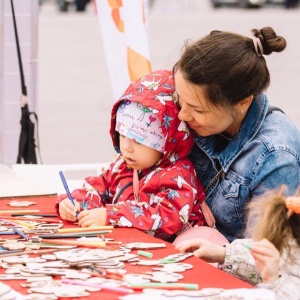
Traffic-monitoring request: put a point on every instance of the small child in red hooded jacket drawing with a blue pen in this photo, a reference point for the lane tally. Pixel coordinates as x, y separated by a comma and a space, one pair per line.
151, 184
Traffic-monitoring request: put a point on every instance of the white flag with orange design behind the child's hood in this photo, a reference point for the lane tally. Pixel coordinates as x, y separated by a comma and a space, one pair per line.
122, 23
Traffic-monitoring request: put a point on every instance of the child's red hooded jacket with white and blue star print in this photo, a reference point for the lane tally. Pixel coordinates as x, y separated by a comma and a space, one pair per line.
170, 193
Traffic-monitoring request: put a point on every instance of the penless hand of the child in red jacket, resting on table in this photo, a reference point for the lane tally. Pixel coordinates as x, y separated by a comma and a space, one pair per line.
92, 217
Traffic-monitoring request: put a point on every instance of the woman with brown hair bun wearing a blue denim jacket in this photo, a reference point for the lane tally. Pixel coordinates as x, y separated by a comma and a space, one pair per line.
243, 146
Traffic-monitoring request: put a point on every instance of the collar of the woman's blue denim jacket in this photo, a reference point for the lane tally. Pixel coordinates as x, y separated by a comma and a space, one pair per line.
250, 126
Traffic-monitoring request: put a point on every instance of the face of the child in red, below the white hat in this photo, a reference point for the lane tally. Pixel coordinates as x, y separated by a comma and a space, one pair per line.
138, 156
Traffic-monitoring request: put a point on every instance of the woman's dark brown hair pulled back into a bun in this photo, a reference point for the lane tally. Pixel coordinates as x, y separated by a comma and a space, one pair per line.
228, 65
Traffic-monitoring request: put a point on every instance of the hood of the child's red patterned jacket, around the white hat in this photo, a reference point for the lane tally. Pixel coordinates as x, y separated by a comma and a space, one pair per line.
156, 90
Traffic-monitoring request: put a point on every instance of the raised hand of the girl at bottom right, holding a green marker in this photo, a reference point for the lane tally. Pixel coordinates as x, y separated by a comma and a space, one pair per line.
266, 259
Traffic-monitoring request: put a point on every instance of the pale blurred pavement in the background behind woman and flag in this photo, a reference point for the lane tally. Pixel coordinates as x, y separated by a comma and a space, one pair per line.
74, 92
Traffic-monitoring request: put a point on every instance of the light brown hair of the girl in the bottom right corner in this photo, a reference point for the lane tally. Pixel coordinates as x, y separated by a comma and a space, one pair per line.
268, 218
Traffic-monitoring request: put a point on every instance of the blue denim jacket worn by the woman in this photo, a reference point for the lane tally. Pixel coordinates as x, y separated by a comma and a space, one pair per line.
263, 155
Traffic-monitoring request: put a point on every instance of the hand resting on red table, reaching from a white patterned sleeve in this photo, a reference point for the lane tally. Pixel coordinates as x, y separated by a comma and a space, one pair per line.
204, 249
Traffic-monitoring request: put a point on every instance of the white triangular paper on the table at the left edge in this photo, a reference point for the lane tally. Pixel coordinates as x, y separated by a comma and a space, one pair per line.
13, 185
